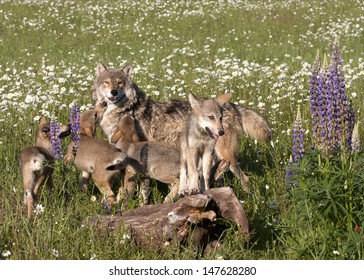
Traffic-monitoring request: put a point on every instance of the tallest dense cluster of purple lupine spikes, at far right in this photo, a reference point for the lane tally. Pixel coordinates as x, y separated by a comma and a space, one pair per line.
333, 116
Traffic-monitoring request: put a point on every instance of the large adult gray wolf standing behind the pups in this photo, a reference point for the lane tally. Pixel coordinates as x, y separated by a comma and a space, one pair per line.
165, 121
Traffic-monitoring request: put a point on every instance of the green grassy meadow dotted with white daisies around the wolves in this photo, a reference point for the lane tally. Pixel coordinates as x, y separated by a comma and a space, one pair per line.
261, 51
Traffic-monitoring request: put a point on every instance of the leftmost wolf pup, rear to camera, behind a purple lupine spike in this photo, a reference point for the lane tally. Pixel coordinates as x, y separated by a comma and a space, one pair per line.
36, 163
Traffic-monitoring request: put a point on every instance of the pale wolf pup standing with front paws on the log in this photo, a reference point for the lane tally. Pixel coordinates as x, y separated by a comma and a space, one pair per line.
204, 127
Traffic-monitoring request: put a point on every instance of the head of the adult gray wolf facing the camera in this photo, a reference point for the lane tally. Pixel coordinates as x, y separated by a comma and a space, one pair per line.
114, 86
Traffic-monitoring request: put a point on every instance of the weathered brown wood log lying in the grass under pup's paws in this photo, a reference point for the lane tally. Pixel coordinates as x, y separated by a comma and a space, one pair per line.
197, 217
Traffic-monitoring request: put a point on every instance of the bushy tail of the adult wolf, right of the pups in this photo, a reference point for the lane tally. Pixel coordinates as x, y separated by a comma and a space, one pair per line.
255, 125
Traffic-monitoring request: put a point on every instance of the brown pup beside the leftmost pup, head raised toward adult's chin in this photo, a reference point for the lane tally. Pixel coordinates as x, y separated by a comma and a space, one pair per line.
93, 156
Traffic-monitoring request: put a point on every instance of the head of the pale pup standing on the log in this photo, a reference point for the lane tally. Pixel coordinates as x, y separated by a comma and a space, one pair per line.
208, 113
